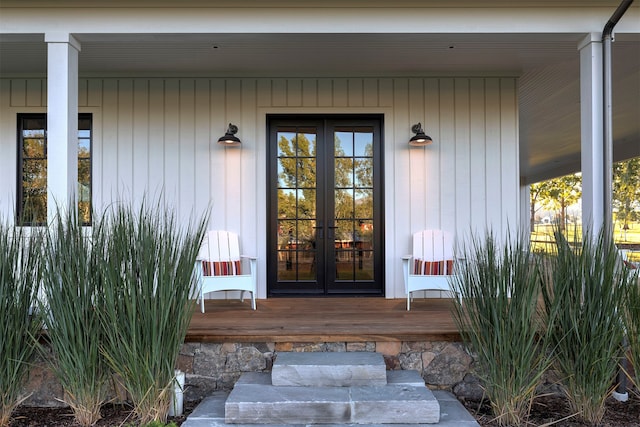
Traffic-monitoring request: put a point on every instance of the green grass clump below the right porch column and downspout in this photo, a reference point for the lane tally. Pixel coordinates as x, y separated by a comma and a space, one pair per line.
584, 297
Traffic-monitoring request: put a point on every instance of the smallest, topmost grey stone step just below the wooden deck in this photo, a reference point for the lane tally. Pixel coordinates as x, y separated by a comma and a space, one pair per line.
334, 369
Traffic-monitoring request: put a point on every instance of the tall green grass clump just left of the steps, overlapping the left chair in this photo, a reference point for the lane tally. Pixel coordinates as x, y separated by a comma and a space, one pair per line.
145, 304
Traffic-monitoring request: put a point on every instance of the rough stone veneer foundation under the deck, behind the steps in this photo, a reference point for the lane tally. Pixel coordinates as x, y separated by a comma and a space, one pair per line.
212, 367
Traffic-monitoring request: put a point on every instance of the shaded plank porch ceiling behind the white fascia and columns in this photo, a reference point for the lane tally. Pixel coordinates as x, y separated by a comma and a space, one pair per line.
547, 64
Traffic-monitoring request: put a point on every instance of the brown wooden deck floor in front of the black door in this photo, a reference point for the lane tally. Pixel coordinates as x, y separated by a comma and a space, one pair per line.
323, 320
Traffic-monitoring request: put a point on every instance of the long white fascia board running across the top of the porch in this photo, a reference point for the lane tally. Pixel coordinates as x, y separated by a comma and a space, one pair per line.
313, 20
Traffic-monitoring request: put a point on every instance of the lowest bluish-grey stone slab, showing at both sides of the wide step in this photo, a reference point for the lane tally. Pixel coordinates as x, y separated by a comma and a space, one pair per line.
210, 413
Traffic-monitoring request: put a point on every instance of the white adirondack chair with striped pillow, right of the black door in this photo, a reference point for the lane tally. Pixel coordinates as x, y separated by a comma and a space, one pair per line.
430, 265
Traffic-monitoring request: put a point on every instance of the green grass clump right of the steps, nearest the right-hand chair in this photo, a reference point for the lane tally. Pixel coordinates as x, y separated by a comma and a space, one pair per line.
498, 319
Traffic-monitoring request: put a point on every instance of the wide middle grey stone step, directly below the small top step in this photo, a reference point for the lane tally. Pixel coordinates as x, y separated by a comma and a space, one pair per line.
254, 401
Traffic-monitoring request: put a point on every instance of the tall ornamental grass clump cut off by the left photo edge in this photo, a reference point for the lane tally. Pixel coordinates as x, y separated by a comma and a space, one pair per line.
20, 256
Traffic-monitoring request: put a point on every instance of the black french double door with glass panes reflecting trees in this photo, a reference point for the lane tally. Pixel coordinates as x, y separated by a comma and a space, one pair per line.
325, 206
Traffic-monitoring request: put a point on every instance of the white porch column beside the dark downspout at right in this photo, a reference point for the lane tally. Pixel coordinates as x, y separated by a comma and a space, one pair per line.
592, 122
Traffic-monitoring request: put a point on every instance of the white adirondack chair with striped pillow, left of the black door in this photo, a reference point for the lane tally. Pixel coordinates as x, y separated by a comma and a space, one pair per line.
219, 267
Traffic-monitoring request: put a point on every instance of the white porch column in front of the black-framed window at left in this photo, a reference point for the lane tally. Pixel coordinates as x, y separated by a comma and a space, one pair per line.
62, 121
